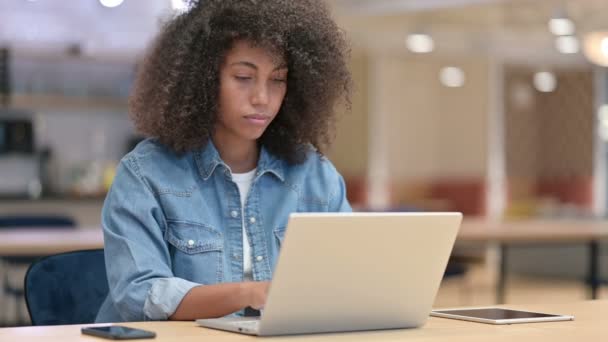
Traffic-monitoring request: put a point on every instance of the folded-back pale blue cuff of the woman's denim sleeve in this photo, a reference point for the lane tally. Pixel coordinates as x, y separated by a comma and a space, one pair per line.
164, 297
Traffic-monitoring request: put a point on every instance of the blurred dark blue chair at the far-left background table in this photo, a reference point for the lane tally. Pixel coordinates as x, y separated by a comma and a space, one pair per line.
15, 266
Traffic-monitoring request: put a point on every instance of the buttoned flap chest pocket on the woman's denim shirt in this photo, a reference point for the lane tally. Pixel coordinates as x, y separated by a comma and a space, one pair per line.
196, 251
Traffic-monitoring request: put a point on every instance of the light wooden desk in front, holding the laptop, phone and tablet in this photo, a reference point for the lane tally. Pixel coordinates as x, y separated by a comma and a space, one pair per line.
589, 325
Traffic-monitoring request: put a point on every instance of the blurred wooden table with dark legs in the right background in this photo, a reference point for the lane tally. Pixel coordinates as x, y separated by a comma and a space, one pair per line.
534, 232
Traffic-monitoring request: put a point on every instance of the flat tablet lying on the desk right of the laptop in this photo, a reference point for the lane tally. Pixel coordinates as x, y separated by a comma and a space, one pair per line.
499, 316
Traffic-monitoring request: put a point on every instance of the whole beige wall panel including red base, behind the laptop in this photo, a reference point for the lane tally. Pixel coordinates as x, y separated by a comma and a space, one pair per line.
435, 137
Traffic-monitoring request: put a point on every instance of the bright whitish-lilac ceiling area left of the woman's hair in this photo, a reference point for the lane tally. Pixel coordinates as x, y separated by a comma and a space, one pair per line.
52, 27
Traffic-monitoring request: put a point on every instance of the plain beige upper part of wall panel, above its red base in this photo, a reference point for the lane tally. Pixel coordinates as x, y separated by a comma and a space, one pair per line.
434, 131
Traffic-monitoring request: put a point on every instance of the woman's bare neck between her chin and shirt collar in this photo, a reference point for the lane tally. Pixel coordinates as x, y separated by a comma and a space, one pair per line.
240, 156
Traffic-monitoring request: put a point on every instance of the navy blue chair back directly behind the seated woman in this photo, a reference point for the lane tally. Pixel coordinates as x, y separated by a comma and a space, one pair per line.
66, 288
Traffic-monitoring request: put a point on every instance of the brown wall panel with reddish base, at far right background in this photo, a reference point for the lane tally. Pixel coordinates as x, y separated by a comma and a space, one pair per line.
549, 140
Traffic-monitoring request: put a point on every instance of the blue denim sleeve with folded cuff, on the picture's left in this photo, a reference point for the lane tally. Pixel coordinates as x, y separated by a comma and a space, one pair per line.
138, 264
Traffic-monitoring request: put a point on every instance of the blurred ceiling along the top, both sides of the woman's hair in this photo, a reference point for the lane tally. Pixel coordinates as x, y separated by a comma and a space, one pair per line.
509, 28
